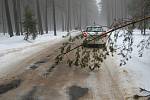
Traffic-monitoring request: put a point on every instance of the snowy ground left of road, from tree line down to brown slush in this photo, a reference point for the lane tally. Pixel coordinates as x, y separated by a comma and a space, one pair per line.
16, 49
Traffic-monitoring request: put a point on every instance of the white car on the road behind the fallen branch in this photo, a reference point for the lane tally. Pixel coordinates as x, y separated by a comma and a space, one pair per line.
92, 36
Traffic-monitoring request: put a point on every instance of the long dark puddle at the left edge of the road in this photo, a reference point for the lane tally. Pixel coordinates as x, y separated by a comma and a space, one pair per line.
9, 86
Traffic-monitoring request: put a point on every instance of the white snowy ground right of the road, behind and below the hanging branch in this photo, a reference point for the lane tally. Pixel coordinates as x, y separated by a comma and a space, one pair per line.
135, 74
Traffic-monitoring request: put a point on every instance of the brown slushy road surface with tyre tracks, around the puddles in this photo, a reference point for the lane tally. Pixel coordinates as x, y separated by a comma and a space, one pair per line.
101, 84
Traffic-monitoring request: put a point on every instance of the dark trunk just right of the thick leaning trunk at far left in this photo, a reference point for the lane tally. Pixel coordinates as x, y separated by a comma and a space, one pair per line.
16, 17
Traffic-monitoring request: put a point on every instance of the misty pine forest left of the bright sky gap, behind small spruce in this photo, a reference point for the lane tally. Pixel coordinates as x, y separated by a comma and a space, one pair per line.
50, 15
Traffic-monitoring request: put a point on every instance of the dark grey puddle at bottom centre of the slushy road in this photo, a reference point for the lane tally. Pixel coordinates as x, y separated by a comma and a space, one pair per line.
76, 92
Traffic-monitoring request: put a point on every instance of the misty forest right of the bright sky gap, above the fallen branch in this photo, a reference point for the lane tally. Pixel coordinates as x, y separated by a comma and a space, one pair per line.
124, 10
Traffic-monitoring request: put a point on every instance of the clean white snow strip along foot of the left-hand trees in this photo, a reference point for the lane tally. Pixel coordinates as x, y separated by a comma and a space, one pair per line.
18, 41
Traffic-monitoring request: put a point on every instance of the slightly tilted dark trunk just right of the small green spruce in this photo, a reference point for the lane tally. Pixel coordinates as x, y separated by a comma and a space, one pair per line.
39, 18
